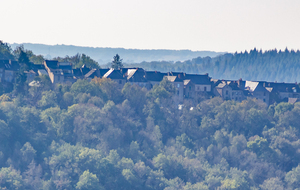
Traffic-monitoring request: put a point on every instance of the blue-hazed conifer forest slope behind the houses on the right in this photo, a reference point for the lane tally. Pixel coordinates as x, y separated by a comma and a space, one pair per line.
273, 65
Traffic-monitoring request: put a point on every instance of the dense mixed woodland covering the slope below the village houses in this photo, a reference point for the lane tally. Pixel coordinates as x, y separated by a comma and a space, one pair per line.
94, 135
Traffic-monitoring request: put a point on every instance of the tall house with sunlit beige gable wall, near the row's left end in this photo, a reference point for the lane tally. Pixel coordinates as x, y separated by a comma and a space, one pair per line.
59, 72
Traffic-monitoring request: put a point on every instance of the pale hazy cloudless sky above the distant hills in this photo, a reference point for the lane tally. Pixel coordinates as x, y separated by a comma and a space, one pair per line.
217, 25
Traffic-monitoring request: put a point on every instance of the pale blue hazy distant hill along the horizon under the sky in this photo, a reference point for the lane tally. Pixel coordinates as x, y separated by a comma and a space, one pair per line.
105, 55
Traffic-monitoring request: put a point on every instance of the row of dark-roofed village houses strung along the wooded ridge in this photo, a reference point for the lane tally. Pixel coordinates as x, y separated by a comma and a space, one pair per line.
189, 87
